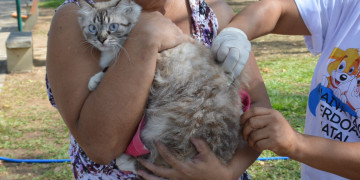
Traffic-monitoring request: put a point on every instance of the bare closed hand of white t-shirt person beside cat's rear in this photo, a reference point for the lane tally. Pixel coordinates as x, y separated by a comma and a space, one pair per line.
267, 129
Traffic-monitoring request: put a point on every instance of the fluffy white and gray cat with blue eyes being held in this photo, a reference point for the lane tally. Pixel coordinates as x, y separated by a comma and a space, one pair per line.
189, 97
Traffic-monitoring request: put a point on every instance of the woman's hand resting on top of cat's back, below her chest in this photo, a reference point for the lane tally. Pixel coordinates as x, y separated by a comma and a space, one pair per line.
155, 29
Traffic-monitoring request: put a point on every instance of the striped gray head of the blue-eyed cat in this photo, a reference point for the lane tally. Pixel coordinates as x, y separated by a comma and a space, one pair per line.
107, 24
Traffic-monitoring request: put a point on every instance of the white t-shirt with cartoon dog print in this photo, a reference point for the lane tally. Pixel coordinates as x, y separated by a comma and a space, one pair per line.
333, 109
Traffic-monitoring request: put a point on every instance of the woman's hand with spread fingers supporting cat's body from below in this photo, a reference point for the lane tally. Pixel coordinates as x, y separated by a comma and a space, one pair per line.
205, 165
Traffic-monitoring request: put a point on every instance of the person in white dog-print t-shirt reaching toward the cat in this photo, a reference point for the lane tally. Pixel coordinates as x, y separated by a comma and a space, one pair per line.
330, 147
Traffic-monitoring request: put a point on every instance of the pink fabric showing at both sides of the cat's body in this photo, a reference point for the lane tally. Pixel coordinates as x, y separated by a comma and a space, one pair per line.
137, 148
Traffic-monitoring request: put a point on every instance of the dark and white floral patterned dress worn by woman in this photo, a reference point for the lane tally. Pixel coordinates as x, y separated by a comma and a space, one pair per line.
204, 28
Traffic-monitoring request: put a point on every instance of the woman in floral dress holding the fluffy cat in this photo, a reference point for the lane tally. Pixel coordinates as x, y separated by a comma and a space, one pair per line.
102, 122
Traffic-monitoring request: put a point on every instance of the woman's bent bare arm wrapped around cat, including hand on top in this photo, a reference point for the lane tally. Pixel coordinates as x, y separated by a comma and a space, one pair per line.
104, 120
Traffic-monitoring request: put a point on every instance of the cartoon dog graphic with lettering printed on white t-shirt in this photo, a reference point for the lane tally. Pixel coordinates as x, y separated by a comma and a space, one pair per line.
339, 93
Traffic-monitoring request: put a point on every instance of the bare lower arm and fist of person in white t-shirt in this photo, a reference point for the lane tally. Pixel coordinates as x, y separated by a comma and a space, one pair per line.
267, 129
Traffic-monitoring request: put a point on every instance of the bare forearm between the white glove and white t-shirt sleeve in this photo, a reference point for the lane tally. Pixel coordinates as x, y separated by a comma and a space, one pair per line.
270, 16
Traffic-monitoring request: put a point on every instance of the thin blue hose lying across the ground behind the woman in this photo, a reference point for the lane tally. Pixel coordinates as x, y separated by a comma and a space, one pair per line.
68, 160
